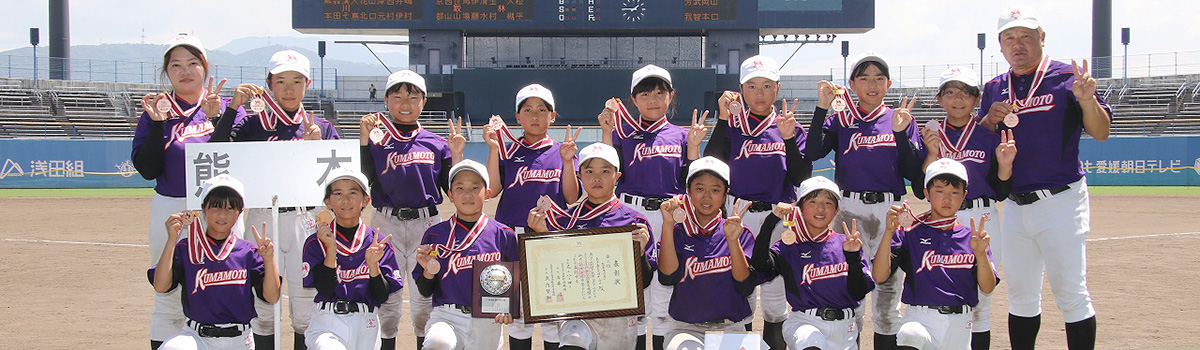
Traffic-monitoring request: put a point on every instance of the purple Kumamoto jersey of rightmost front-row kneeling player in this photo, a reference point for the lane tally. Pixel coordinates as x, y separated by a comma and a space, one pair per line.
940, 265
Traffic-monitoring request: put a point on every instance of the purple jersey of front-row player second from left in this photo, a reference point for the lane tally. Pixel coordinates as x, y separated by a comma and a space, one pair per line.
353, 274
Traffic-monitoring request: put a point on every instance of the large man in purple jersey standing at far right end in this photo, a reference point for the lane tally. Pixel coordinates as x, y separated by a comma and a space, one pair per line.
1047, 218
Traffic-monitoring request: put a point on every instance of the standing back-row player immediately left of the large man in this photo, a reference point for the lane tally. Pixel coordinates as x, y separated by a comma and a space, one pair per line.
988, 160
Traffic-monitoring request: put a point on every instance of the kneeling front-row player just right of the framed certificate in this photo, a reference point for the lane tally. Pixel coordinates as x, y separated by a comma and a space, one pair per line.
706, 267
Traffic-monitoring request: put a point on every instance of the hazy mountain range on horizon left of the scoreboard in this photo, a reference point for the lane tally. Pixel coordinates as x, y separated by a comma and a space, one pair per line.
249, 52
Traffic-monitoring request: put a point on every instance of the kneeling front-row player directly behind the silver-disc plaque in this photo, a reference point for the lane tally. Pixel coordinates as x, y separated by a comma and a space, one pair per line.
466, 238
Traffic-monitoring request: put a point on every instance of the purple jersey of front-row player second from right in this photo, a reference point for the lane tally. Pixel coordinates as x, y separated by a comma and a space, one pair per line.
819, 274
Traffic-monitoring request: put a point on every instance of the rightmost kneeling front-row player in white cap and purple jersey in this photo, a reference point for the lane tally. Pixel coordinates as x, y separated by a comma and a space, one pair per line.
947, 264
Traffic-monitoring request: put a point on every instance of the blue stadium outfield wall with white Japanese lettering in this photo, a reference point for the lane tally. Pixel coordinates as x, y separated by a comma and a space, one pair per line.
41, 164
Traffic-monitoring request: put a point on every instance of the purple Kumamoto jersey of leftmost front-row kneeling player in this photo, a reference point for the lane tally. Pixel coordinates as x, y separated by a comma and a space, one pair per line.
219, 292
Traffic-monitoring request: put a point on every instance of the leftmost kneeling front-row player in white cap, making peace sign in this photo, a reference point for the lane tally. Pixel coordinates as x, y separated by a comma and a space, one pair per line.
219, 273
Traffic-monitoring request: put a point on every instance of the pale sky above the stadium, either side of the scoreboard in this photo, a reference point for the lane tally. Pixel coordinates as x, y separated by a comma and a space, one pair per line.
909, 33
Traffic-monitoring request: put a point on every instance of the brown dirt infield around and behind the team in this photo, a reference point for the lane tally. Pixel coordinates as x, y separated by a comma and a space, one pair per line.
74, 276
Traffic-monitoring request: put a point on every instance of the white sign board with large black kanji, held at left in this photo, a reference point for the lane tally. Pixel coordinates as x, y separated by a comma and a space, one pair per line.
295, 171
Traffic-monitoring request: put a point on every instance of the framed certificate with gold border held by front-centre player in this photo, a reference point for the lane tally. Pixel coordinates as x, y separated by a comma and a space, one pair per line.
587, 274
